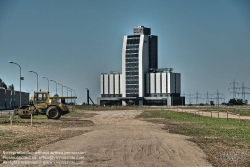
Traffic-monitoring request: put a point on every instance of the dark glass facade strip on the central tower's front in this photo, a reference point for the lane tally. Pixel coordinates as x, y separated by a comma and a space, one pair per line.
132, 69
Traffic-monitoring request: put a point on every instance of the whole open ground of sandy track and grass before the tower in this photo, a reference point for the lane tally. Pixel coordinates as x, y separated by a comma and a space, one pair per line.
130, 136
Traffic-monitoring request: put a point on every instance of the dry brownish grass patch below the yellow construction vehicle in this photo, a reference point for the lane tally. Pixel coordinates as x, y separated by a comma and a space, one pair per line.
21, 136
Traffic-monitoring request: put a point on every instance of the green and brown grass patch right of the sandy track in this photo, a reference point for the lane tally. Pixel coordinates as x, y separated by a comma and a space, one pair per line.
214, 136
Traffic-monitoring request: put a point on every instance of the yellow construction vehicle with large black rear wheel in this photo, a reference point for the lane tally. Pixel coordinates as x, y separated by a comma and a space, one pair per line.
42, 103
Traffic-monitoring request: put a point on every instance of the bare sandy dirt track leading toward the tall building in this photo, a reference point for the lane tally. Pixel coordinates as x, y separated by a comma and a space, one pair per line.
118, 139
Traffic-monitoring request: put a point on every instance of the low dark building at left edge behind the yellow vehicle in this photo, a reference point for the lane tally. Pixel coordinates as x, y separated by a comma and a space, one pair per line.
11, 99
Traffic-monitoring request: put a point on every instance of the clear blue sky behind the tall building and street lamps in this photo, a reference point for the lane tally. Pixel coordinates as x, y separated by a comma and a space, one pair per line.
72, 42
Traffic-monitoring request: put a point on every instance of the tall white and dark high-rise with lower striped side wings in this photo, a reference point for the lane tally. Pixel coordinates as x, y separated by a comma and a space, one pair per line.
141, 82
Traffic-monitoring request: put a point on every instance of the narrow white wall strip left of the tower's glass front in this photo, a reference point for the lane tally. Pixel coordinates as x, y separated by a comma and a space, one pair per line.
123, 84
